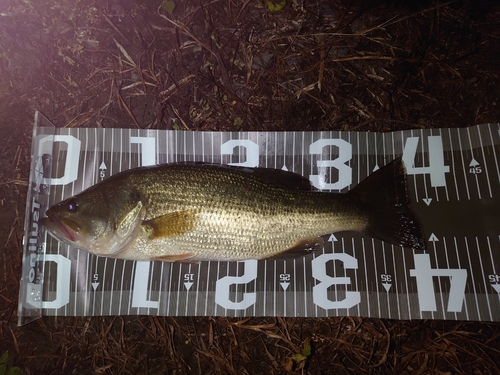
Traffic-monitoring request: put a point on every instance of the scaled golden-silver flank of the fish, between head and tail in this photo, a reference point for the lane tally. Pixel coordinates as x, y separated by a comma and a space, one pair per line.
240, 210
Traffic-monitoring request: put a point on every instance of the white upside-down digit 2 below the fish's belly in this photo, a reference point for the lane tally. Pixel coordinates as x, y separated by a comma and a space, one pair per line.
222, 288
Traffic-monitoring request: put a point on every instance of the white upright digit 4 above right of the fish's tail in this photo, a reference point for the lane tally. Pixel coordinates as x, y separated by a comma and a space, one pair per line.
436, 168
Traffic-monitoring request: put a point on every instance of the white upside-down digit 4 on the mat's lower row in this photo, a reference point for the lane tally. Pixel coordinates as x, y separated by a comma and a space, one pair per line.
425, 287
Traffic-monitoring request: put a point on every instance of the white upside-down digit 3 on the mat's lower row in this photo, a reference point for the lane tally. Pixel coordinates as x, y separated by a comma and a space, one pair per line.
320, 291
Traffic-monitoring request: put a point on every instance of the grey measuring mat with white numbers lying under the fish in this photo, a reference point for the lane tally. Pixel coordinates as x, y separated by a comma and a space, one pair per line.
454, 185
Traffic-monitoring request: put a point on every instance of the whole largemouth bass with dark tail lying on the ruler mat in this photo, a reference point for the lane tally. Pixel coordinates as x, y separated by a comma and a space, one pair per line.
191, 212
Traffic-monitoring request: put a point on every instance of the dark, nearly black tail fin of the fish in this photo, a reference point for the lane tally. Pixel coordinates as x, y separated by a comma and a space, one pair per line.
384, 196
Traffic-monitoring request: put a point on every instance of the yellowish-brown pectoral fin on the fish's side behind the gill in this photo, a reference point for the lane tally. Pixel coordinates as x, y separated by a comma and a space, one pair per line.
170, 225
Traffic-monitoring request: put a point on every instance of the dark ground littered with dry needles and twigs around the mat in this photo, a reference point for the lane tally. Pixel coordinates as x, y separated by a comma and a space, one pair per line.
238, 65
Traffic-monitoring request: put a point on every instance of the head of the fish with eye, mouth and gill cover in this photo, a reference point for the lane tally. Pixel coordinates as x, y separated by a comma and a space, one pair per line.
103, 220
